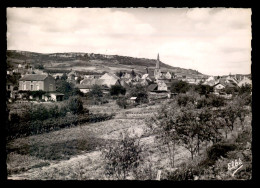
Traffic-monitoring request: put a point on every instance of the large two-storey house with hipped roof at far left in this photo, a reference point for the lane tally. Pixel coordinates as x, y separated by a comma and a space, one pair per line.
34, 82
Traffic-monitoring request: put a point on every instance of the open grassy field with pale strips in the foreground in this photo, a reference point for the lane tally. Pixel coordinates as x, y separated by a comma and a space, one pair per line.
74, 153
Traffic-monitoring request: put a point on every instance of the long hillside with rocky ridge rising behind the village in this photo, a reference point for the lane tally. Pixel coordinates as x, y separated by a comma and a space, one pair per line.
89, 62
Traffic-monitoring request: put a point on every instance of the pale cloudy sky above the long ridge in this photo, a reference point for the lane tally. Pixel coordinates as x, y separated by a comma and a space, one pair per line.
214, 41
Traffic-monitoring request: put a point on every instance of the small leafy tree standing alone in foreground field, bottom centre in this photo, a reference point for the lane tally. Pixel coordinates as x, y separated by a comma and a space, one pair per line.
122, 157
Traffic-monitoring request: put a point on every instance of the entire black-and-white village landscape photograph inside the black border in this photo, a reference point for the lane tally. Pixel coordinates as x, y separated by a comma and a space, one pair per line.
128, 93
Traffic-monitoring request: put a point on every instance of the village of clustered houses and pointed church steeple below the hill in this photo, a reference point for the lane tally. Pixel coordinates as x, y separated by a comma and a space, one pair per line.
157, 82
